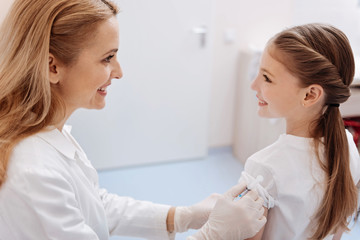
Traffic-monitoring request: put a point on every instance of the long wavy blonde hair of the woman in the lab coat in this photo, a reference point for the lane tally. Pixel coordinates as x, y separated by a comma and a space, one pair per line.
31, 30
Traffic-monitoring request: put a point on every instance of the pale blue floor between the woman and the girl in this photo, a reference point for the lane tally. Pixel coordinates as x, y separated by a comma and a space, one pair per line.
181, 183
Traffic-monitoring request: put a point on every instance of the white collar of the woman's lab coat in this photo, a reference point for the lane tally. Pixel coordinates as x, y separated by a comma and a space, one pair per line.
57, 139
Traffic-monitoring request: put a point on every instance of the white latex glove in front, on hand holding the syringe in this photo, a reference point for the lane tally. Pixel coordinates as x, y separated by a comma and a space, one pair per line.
234, 220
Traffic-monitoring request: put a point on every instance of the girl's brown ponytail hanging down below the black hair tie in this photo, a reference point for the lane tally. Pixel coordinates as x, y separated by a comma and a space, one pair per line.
340, 199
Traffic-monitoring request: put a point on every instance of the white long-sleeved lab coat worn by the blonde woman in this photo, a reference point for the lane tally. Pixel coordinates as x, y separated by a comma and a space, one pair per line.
52, 192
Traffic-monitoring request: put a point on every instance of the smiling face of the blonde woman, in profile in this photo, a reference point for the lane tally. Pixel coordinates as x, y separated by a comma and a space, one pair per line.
84, 84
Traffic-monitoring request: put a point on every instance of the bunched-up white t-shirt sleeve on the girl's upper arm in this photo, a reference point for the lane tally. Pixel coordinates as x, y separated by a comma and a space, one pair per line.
266, 188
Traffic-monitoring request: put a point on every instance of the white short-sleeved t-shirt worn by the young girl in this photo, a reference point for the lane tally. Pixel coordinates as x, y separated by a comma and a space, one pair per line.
293, 184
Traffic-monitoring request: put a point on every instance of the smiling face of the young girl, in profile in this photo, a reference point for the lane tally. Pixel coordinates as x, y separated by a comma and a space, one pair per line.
278, 91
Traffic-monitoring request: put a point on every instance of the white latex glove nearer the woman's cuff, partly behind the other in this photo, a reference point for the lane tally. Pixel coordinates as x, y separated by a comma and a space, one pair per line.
196, 215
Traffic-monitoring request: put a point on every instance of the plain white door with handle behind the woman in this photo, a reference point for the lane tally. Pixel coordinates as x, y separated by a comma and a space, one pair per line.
159, 110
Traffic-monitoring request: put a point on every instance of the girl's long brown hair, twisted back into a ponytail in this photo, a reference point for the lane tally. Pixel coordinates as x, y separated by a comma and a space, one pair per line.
321, 54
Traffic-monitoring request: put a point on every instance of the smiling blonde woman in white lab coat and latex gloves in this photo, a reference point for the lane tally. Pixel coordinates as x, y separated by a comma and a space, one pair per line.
58, 56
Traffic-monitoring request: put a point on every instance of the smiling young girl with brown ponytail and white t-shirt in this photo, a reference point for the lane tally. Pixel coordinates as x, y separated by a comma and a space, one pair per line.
311, 171
